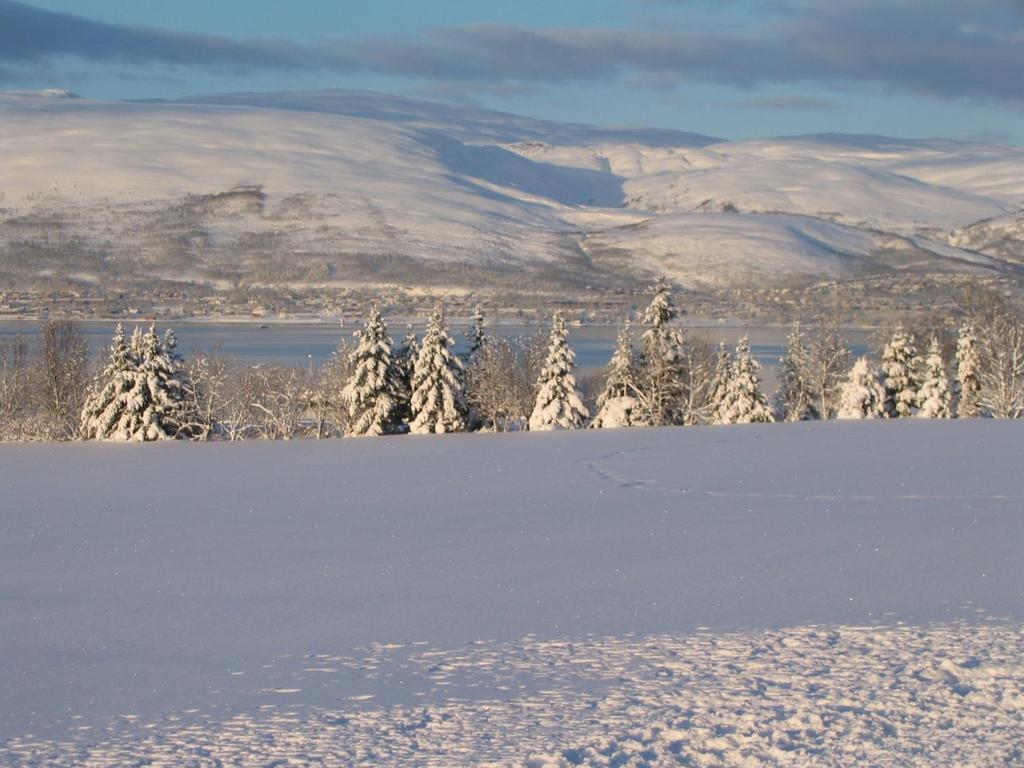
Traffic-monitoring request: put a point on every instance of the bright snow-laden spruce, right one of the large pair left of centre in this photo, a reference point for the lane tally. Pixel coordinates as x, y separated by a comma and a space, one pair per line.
439, 400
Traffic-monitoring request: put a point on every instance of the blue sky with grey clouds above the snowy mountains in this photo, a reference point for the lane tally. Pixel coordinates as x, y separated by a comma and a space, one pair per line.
733, 69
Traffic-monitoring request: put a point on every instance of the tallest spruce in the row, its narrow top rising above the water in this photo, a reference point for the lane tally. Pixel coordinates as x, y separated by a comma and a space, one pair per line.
661, 375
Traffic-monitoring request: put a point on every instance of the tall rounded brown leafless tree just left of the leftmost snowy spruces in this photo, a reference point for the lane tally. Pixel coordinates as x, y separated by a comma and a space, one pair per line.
62, 377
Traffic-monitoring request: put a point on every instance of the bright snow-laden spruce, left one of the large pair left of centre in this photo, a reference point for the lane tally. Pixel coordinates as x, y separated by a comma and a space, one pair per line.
373, 394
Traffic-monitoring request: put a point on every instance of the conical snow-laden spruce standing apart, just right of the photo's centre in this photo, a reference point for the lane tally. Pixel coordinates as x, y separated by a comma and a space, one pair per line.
559, 405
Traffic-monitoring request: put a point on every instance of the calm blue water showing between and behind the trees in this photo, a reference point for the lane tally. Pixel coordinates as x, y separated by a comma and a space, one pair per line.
301, 346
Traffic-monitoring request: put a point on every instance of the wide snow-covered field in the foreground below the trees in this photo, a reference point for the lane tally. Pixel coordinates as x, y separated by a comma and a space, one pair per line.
818, 594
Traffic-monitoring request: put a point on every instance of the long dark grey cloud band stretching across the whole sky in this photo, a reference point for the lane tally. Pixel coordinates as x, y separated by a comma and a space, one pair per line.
942, 49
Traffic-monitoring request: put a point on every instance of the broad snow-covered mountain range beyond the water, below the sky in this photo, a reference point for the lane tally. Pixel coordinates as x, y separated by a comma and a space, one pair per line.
339, 186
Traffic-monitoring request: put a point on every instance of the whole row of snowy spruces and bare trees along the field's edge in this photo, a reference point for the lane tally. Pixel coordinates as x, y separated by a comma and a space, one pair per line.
371, 387
